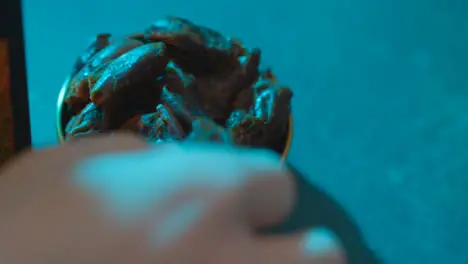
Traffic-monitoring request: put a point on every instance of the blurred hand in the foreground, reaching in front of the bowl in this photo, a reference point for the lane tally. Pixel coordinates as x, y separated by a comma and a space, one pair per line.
117, 200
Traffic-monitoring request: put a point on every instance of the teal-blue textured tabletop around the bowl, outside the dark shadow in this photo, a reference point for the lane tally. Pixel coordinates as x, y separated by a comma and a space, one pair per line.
380, 106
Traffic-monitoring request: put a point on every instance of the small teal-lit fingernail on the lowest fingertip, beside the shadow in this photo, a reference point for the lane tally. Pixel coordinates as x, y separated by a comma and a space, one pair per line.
320, 242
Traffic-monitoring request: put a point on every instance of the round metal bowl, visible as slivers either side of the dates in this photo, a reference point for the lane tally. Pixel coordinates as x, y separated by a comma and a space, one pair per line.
63, 118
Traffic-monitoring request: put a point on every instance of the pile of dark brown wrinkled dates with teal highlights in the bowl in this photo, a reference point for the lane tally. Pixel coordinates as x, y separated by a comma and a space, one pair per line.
176, 81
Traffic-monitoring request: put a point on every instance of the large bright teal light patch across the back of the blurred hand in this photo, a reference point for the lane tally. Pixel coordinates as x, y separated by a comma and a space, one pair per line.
134, 184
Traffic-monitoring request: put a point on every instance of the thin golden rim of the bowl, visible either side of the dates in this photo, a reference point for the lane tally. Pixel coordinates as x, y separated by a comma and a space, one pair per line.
60, 127
